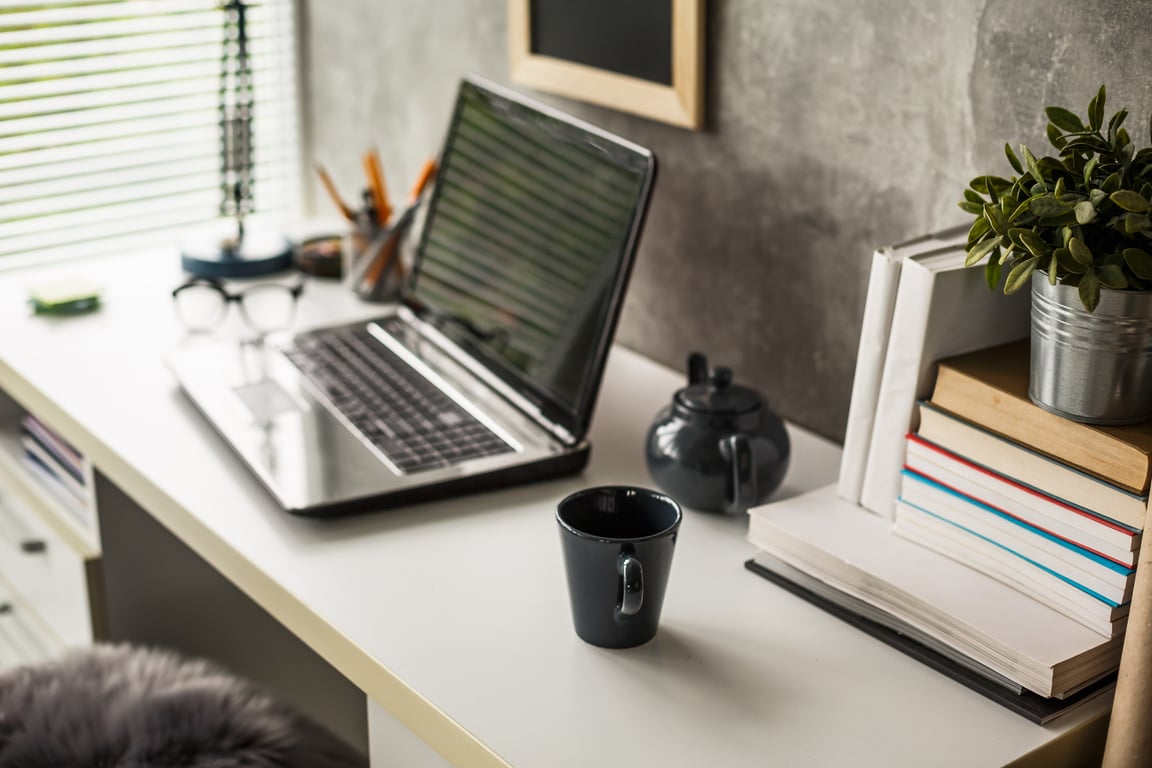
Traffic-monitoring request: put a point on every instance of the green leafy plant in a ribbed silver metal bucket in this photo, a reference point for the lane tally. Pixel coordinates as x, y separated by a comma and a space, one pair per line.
1077, 227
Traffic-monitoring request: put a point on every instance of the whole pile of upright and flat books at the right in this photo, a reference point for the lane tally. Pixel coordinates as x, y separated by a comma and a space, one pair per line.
1005, 565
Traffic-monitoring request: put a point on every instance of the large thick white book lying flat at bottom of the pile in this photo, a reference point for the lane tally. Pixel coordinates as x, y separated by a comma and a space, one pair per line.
998, 627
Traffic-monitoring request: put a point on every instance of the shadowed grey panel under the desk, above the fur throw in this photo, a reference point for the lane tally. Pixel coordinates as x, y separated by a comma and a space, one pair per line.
160, 592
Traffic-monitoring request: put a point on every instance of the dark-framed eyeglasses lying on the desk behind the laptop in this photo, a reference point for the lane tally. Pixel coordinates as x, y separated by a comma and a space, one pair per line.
202, 305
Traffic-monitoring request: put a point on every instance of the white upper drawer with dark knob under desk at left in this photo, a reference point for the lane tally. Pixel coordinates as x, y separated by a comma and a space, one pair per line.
46, 575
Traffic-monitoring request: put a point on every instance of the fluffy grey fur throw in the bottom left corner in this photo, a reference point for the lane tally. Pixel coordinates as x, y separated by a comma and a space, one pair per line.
130, 708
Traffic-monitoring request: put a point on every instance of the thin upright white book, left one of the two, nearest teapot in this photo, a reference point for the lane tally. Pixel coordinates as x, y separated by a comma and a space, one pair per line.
874, 346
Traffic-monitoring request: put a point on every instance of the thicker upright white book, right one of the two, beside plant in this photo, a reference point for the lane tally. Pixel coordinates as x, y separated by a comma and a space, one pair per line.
943, 309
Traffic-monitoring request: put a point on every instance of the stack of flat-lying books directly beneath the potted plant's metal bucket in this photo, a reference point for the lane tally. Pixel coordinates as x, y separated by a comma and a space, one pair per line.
1049, 506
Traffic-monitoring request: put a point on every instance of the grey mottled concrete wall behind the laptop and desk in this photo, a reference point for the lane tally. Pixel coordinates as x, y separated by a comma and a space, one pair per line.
833, 127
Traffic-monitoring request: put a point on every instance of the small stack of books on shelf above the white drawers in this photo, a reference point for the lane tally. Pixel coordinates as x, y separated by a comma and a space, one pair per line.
59, 469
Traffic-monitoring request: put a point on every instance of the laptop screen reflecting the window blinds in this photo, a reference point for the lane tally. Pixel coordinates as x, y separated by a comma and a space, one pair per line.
528, 246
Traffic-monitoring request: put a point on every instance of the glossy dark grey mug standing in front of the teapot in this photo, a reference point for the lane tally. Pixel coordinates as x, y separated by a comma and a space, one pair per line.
618, 544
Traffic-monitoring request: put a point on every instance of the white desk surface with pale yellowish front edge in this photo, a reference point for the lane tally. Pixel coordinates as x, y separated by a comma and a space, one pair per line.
453, 617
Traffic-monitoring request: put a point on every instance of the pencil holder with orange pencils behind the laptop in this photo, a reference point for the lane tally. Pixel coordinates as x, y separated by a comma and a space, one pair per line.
376, 258
